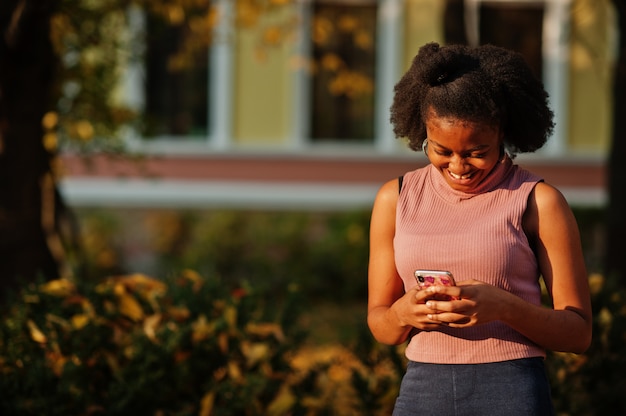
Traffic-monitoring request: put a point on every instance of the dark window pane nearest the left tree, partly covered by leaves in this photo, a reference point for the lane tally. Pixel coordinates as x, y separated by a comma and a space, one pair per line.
176, 84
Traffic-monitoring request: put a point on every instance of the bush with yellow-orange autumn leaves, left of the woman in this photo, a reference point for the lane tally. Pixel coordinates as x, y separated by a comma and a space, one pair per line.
183, 346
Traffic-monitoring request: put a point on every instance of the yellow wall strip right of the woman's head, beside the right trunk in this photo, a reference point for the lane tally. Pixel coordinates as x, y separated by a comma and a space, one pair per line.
590, 77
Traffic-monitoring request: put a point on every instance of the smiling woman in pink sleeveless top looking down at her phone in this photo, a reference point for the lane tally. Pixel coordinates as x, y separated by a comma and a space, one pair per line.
496, 227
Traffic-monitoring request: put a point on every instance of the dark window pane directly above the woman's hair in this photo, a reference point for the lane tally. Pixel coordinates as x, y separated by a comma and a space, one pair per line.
514, 26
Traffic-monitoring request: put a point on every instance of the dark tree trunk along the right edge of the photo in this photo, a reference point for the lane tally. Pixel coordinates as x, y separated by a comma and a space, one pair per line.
616, 210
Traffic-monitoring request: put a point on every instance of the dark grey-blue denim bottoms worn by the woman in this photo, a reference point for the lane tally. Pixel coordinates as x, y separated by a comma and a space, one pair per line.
508, 388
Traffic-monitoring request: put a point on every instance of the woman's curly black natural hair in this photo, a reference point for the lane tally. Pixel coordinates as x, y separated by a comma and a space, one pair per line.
484, 84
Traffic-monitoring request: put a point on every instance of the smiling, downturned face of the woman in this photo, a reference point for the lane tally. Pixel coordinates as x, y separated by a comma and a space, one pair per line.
464, 152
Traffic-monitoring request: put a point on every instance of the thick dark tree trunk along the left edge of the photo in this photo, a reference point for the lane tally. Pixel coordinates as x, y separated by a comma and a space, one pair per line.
27, 65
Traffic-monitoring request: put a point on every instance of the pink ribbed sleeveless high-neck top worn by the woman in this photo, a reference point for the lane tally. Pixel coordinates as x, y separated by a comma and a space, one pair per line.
476, 235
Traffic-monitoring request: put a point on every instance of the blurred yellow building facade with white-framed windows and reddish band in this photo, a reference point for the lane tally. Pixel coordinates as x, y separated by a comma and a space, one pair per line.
303, 123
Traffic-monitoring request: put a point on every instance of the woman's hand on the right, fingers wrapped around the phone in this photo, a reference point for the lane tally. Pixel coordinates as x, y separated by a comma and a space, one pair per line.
476, 303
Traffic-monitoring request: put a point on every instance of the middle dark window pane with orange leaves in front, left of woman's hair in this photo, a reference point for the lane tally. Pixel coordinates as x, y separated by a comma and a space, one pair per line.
344, 39
